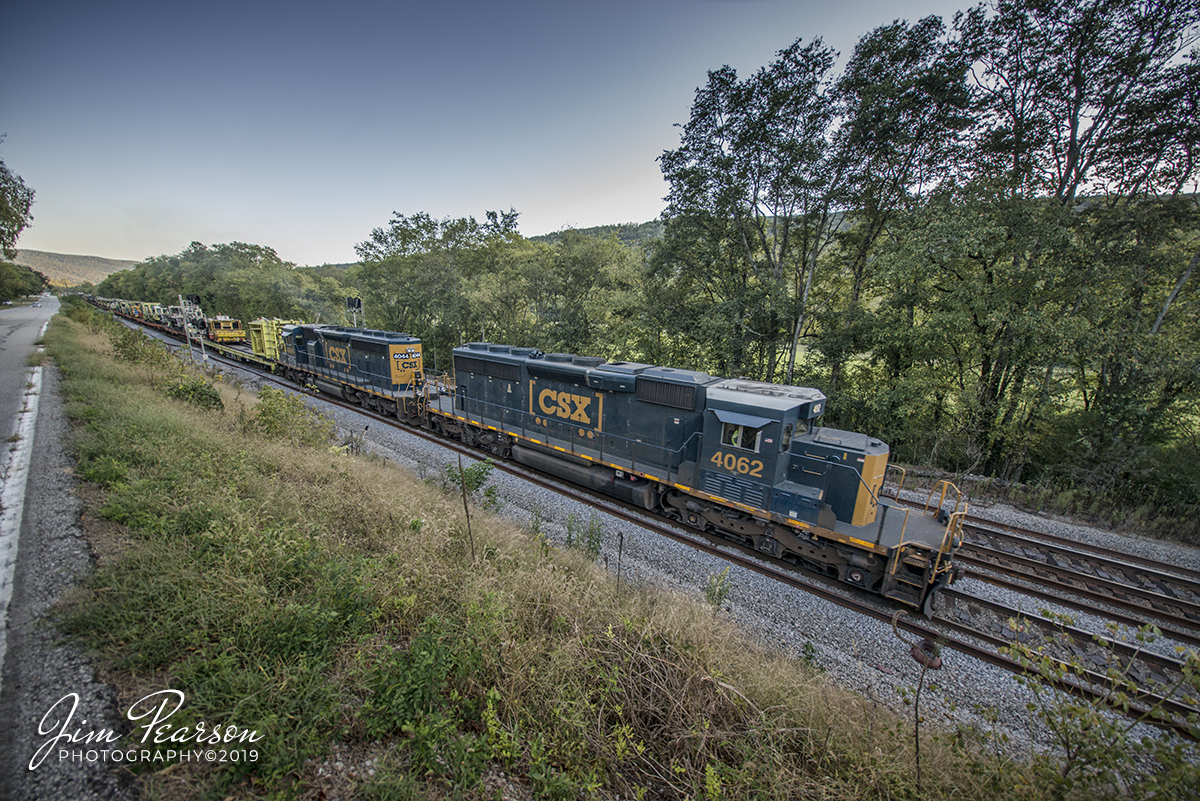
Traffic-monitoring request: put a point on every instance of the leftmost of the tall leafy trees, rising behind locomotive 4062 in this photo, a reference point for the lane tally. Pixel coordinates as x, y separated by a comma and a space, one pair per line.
754, 170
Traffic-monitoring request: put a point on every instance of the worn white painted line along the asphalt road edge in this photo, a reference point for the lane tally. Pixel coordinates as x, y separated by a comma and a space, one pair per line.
13, 498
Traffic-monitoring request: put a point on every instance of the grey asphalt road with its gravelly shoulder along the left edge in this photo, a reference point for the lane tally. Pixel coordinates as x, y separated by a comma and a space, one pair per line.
51, 698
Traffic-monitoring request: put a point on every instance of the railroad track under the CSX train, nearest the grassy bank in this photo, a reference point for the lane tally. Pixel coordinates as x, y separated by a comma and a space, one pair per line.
971, 625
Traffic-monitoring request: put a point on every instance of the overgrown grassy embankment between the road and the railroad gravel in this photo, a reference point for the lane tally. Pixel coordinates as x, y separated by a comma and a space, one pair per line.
332, 604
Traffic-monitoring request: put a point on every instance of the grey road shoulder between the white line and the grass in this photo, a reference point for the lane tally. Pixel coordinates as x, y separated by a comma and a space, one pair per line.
43, 667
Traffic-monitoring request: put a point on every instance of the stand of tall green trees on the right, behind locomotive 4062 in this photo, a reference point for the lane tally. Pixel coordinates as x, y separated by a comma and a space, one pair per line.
980, 238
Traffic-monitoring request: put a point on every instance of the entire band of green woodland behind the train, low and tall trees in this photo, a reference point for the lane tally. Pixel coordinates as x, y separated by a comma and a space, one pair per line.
979, 239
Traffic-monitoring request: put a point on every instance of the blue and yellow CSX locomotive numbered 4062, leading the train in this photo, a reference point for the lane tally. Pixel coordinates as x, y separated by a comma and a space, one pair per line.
736, 459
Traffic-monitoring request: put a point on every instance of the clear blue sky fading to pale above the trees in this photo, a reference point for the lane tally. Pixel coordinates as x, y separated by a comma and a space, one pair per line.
302, 127
